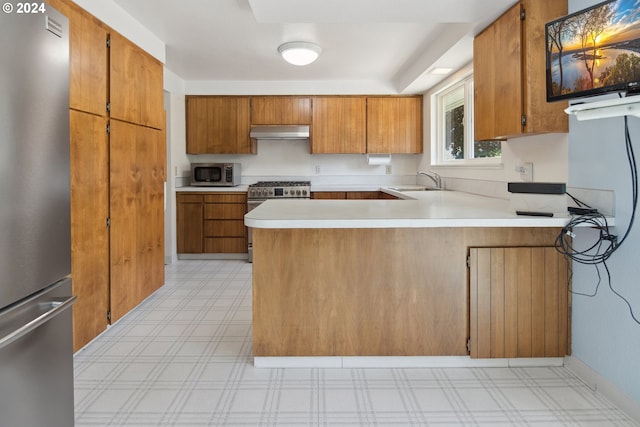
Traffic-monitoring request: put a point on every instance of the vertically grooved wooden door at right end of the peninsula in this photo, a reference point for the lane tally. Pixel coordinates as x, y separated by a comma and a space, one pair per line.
519, 299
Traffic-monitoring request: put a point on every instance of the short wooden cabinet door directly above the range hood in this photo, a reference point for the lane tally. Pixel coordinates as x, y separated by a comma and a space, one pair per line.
280, 110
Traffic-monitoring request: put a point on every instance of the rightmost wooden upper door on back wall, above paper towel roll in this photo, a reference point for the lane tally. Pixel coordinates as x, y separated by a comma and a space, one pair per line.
394, 125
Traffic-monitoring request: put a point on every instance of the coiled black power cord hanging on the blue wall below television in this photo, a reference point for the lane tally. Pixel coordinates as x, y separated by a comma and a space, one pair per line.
605, 244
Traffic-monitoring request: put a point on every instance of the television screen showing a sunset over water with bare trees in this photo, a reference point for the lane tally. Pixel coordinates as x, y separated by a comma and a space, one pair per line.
594, 51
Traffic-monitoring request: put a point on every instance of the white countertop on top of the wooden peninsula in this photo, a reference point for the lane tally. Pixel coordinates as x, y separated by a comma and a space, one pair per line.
417, 209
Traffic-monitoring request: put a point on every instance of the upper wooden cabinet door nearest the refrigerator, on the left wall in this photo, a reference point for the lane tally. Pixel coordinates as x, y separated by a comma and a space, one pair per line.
88, 70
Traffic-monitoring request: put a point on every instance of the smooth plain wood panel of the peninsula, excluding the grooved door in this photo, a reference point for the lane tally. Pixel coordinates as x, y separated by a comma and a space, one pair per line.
407, 294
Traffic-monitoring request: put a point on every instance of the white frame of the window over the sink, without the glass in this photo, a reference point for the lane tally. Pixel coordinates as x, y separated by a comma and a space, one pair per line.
438, 128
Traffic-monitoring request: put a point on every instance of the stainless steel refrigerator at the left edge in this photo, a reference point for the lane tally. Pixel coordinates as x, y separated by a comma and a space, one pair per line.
36, 352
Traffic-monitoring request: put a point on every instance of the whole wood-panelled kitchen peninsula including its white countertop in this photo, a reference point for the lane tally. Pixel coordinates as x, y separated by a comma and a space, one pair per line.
434, 273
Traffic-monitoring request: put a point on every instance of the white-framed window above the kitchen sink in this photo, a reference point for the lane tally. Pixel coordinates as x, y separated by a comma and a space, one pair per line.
452, 124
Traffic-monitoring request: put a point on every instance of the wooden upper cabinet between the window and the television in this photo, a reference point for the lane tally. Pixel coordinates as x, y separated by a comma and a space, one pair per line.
509, 74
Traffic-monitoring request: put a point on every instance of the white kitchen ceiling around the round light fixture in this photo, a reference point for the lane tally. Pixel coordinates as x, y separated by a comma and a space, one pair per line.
394, 43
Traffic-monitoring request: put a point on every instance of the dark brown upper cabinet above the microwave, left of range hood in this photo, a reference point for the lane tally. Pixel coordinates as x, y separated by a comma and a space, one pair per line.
218, 125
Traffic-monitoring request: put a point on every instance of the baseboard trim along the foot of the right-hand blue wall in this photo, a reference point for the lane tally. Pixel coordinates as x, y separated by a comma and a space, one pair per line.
601, 385
